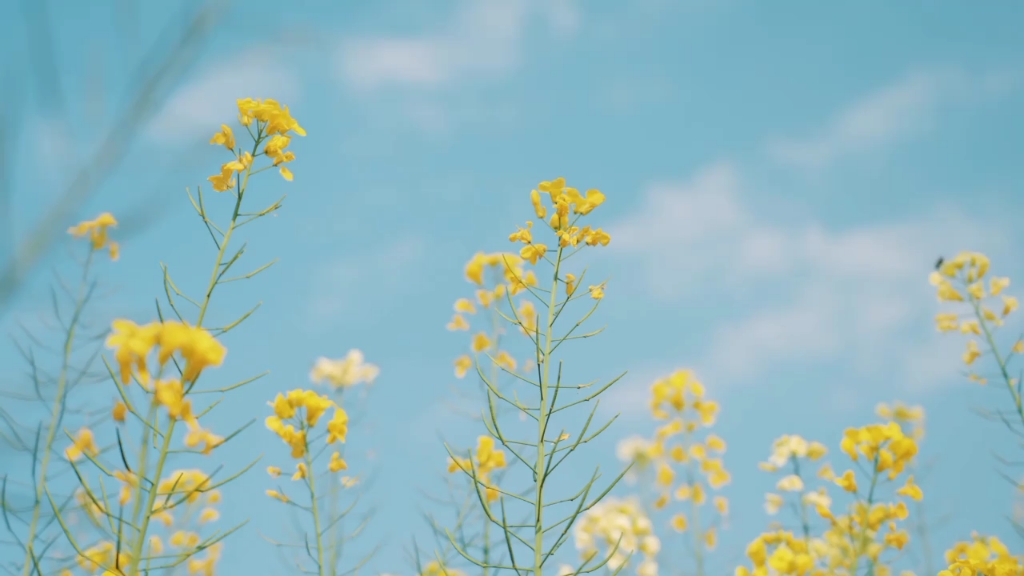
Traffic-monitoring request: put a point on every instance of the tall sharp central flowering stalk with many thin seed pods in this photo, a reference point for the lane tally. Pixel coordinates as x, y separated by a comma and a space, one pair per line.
531, 546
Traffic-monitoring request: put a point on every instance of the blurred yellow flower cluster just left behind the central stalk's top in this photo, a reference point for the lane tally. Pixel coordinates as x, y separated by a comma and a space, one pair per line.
507, 278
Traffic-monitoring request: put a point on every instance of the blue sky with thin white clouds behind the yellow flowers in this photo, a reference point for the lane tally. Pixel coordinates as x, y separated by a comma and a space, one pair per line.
781, 180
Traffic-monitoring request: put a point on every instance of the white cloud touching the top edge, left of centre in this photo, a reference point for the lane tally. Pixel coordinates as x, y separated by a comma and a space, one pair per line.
484, 38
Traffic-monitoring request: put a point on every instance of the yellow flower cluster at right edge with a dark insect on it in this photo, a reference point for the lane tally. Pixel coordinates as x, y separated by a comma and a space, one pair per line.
963, 280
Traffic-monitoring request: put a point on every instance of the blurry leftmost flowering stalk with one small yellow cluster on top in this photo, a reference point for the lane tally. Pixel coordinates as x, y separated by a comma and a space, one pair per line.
42, 448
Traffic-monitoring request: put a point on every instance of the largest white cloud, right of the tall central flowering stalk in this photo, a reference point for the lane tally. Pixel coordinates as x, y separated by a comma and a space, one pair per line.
809, 294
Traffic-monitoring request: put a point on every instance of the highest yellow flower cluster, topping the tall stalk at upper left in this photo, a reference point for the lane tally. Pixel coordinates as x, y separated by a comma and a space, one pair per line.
274, 126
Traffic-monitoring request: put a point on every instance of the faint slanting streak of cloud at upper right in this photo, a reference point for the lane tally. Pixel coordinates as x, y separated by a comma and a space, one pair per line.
907, 108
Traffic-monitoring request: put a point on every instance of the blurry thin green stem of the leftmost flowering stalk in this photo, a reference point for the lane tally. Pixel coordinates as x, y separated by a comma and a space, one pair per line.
57, 417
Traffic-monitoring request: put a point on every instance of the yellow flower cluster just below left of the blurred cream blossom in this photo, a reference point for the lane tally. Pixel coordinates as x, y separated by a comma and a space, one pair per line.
294, 416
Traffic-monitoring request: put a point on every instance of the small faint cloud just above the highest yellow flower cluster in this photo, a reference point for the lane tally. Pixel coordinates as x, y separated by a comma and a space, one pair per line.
208, 101
